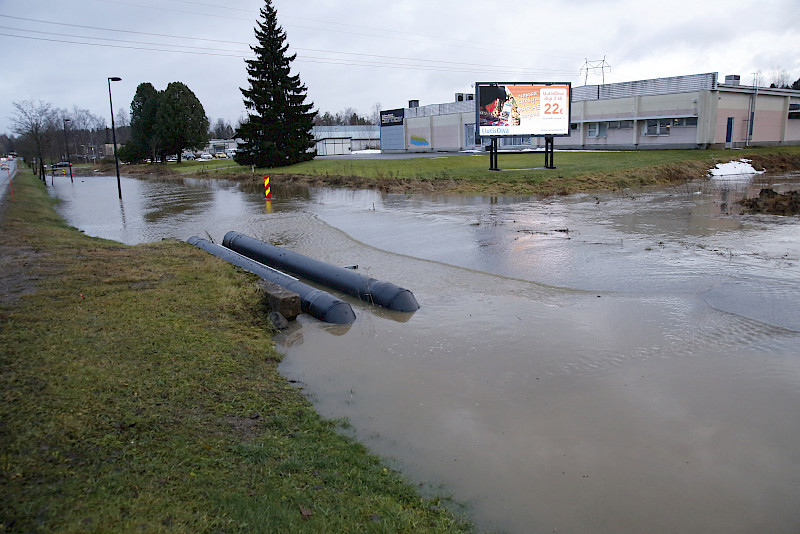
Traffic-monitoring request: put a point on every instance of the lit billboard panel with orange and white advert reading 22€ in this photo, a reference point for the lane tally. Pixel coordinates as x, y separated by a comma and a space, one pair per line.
537, 109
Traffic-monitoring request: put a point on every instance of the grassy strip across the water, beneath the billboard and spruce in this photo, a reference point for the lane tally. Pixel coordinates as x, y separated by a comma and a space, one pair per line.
458, 173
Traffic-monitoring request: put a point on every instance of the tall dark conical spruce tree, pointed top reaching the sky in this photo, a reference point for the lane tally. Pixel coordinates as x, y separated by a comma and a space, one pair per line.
277, 129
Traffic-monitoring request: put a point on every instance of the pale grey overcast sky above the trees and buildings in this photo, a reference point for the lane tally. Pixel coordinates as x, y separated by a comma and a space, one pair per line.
357, 53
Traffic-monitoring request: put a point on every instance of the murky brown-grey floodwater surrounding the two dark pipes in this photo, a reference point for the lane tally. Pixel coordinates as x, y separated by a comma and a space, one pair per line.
624, 362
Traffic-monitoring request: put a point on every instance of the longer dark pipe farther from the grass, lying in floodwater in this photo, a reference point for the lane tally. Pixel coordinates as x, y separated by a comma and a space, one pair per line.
358, 285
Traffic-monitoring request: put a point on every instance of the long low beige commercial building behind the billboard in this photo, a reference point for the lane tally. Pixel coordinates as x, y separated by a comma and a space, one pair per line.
694, 111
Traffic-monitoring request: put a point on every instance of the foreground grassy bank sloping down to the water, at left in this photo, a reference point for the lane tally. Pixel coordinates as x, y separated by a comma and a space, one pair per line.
140, 394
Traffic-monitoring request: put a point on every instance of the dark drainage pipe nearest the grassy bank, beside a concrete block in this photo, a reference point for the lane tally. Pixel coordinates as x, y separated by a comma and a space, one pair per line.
313, 301
